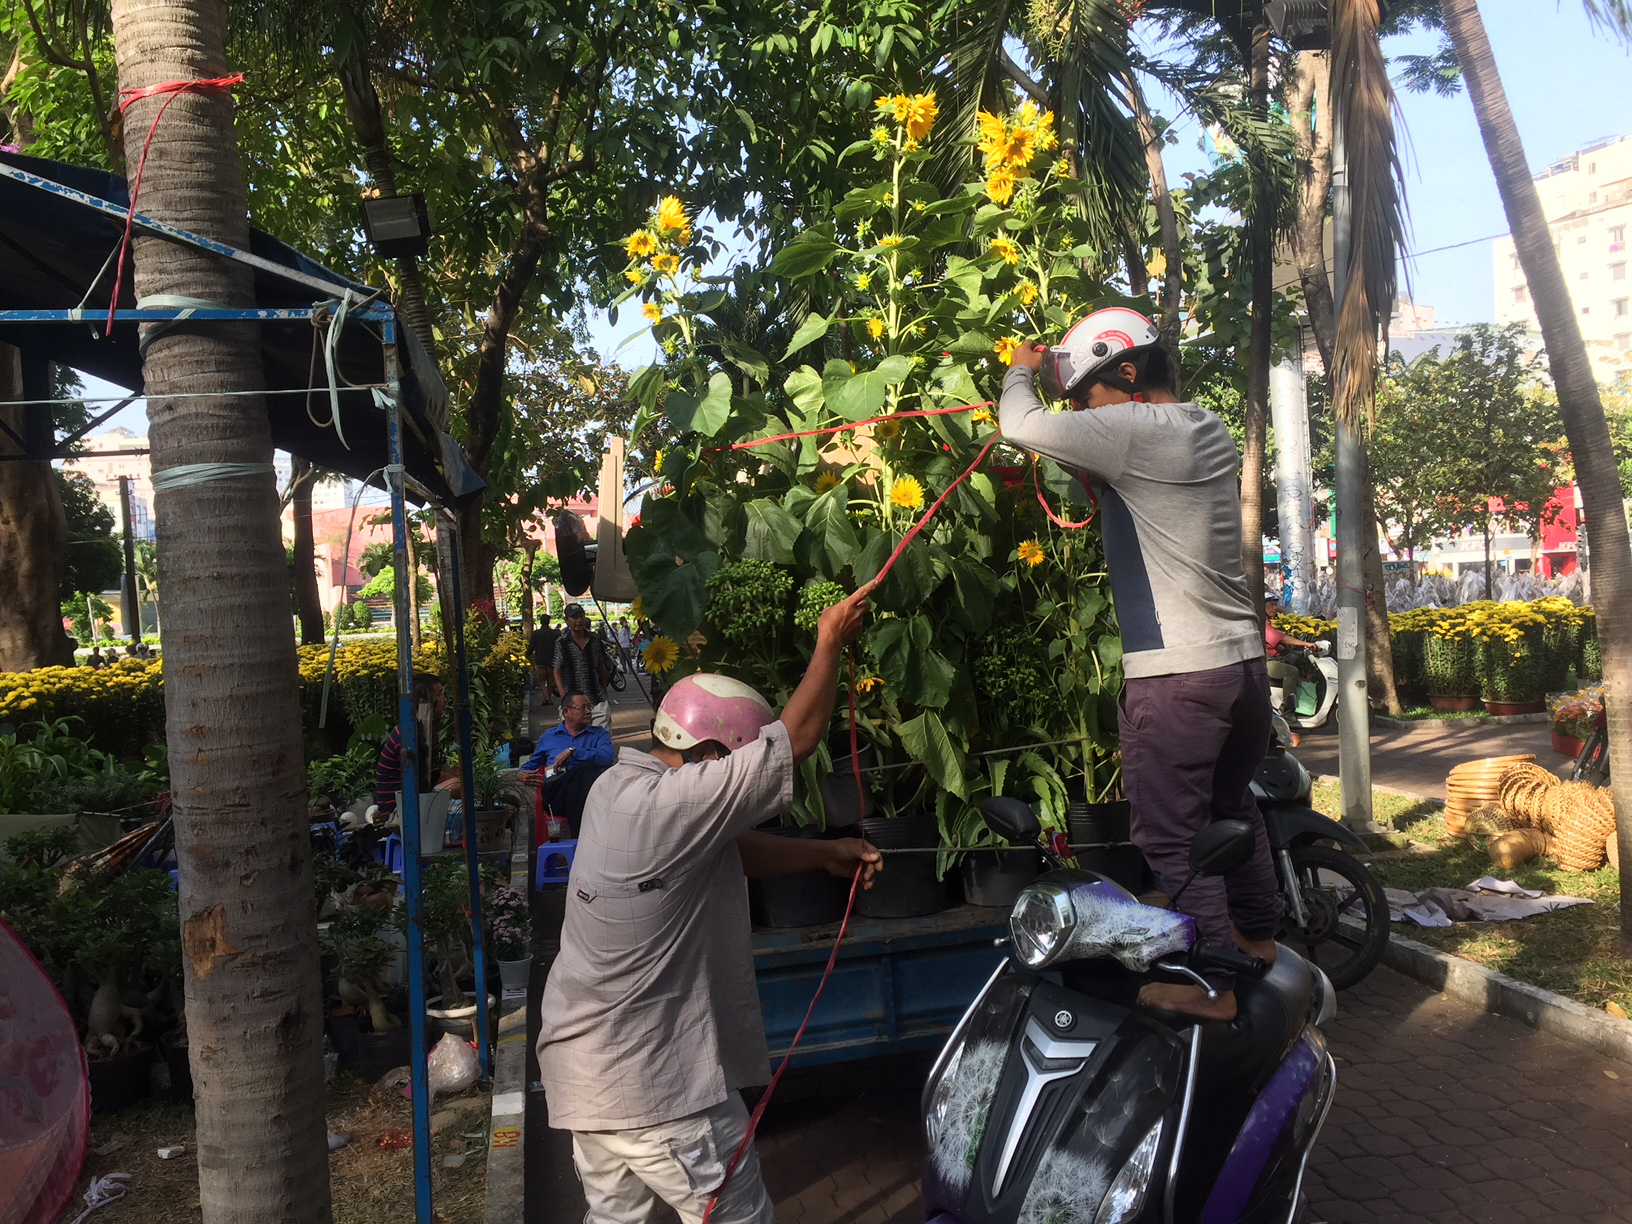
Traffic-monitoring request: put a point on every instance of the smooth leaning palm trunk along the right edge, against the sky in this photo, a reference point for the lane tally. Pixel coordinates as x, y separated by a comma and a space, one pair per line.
1579, 404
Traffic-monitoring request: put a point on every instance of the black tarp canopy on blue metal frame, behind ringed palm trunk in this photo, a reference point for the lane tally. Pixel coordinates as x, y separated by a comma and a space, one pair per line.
53, 249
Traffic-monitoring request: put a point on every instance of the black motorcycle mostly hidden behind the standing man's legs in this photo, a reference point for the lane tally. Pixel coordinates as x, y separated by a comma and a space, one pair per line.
1337, 913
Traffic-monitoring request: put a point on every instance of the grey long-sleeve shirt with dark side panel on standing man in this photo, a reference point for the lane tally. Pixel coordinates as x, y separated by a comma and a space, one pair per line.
1166, 476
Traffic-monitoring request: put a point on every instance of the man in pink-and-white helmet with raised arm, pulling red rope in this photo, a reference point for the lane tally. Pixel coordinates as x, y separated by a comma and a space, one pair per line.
650, 1019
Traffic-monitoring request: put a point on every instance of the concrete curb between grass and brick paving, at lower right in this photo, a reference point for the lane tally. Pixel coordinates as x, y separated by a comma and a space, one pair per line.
1507, 996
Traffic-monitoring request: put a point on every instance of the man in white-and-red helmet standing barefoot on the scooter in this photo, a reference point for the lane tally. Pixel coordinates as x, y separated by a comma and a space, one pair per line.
1195, 709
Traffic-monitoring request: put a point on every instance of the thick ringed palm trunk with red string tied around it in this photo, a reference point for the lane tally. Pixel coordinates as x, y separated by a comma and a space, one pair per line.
254, 1004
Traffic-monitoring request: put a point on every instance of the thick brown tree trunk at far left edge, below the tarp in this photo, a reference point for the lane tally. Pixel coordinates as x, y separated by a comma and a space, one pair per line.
33, 541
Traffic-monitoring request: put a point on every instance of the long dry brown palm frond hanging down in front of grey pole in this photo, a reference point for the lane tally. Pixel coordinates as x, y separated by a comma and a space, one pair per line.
1364, 100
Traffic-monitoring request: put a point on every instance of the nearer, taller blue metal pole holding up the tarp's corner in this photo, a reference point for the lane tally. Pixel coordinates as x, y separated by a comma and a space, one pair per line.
409, 810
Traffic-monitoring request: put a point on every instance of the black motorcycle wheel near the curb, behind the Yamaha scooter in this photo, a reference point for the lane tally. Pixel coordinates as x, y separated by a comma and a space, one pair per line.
1336, 887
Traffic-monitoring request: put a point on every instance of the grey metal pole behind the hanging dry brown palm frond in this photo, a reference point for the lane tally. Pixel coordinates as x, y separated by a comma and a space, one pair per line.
1354, 709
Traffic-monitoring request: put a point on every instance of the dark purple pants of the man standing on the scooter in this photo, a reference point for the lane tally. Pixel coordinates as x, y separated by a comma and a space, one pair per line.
1191, 748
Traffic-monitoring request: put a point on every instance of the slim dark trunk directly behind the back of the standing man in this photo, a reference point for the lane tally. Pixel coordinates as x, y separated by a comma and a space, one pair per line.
1261, 236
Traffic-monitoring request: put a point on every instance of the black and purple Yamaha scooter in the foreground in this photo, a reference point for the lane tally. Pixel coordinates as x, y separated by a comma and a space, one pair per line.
1058, 1099
